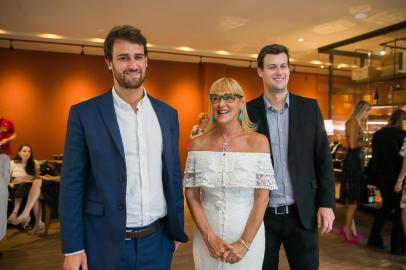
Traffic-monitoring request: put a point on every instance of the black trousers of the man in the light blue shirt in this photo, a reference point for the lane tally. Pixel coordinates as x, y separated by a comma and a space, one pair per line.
301, 245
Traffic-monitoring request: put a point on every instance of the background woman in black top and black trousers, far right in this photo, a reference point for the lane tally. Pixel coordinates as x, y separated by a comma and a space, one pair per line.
384, 167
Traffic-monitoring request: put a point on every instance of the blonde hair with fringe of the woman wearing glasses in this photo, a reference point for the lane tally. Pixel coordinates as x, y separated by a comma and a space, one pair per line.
229, 85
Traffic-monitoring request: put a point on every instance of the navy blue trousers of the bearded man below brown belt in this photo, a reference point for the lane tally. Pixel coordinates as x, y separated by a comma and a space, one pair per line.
152, 252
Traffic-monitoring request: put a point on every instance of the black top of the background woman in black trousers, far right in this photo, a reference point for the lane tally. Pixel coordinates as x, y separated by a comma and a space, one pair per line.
386, 160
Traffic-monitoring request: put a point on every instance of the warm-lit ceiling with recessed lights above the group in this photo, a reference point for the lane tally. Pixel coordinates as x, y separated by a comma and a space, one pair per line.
236, 28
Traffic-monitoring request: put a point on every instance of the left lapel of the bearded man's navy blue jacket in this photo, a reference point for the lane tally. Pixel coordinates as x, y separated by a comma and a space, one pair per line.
106, 107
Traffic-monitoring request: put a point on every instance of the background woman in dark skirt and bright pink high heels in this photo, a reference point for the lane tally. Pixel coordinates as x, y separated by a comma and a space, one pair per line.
352, 181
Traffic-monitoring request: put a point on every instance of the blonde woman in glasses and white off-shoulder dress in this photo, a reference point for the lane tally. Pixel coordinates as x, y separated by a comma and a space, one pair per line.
228, 177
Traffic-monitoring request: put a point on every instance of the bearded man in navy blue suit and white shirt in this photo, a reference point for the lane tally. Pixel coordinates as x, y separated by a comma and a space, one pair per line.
121, 200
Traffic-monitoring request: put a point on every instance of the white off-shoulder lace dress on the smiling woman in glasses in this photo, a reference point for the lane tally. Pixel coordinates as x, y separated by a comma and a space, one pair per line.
227, 181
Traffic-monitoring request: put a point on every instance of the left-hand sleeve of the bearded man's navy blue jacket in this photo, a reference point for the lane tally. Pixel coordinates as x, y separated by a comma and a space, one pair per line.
73, 182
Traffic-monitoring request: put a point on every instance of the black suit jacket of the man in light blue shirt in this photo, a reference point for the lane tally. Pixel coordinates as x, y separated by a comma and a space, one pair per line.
309, 158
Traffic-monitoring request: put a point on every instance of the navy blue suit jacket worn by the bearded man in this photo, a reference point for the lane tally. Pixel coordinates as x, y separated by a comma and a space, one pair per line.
93, 182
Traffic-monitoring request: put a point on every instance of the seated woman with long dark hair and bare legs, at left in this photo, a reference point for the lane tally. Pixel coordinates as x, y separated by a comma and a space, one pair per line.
25, 183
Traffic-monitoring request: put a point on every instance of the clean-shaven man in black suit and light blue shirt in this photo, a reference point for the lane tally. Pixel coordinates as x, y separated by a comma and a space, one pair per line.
304, 200
